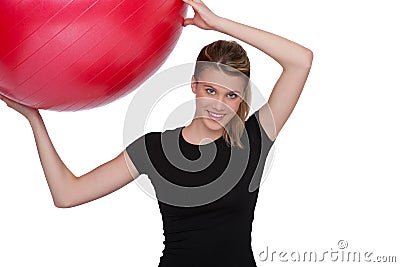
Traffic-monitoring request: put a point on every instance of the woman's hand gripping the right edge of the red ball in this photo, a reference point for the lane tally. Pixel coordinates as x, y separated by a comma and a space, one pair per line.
203, 18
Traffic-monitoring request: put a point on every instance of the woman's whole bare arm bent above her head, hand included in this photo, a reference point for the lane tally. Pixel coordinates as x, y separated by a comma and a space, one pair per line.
295, 60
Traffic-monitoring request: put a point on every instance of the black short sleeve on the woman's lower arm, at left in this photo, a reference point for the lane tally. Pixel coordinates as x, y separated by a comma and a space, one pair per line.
137, 154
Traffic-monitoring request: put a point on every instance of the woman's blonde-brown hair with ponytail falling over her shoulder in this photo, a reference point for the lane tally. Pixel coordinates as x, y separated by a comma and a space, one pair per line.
230, 55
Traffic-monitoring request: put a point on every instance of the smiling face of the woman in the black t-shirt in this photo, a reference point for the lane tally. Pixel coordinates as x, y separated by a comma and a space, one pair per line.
218, 96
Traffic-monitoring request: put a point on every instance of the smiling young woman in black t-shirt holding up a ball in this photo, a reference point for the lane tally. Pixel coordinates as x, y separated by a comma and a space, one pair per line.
207, 205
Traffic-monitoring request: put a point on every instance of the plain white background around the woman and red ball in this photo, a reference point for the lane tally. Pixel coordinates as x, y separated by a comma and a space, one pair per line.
335, 173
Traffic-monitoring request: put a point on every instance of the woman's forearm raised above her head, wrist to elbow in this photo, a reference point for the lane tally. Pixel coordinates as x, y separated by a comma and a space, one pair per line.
287, 53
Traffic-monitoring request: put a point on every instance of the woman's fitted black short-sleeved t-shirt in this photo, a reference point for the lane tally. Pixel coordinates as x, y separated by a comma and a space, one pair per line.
206, 194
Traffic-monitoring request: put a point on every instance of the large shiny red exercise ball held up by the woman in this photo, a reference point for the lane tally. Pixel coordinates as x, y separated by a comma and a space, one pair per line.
70, 55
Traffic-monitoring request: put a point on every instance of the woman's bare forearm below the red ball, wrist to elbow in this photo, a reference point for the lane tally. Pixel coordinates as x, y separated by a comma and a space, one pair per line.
58, 176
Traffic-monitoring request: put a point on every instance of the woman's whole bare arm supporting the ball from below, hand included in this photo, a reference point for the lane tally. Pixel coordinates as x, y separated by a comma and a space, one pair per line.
66, 189
